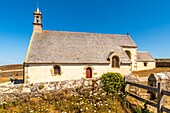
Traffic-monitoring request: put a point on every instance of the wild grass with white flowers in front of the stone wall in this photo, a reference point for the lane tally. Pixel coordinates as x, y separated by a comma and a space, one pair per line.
86, 101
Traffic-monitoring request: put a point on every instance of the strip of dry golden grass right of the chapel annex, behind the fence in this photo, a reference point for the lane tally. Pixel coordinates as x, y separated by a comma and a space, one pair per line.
145, 73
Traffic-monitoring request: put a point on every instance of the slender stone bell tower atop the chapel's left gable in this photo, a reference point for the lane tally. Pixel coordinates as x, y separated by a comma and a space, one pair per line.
37, 24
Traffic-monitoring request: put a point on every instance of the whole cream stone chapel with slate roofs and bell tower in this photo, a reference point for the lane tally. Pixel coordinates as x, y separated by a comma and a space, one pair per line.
61, 55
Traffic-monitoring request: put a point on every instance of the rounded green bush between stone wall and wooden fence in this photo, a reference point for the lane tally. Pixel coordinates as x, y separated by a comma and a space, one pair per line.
113, 82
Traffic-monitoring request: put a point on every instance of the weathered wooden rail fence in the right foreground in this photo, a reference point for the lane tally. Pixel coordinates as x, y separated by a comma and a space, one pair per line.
160, 96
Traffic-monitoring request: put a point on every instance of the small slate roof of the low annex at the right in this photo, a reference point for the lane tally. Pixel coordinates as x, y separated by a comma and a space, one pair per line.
144, 57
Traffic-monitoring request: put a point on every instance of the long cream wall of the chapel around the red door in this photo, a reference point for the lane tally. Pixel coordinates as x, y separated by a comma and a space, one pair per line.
36, 73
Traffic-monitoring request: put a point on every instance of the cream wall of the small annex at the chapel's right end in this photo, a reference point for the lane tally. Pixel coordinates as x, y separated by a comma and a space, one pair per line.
150, 65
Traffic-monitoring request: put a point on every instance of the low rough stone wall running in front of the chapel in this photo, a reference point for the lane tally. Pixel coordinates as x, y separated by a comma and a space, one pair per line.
25, 91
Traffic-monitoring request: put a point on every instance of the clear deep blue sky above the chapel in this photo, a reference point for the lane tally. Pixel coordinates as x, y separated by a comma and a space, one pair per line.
147, 21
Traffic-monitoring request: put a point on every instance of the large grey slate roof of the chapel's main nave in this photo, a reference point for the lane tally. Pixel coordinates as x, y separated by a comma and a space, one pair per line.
76, 47
